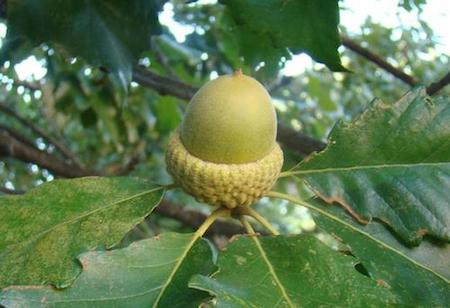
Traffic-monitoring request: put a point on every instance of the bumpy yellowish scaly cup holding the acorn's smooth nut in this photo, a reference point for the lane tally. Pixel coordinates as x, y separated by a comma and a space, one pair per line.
228, 185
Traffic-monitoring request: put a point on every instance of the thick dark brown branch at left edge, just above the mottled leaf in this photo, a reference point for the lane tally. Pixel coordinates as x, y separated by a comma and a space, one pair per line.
16, 146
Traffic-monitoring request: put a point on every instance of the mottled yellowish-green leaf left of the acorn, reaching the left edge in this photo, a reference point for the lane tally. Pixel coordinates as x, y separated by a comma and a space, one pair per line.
44, 230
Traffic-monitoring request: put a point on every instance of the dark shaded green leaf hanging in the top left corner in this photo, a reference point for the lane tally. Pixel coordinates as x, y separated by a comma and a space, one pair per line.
106, 33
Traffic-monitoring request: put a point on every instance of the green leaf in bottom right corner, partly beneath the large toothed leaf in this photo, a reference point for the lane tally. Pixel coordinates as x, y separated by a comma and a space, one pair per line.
418, 276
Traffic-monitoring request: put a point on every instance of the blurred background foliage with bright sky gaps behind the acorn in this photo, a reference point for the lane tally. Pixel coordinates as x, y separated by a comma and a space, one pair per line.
112, 133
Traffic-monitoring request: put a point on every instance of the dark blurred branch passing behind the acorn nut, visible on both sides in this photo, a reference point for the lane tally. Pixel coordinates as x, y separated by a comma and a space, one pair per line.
300, 143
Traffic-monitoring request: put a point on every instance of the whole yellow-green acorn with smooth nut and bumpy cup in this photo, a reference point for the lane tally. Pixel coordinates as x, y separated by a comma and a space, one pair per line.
224, 153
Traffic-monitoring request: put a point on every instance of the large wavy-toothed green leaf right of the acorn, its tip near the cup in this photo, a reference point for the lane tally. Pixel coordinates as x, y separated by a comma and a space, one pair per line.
391, 163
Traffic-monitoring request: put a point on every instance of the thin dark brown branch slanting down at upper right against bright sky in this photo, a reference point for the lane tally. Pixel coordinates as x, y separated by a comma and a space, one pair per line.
369, 55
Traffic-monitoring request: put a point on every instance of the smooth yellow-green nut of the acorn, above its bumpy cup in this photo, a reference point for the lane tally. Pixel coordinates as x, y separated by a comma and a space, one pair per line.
230, 120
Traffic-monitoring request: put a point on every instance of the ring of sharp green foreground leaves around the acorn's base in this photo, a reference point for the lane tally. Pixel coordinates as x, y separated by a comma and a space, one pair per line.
88, 214
